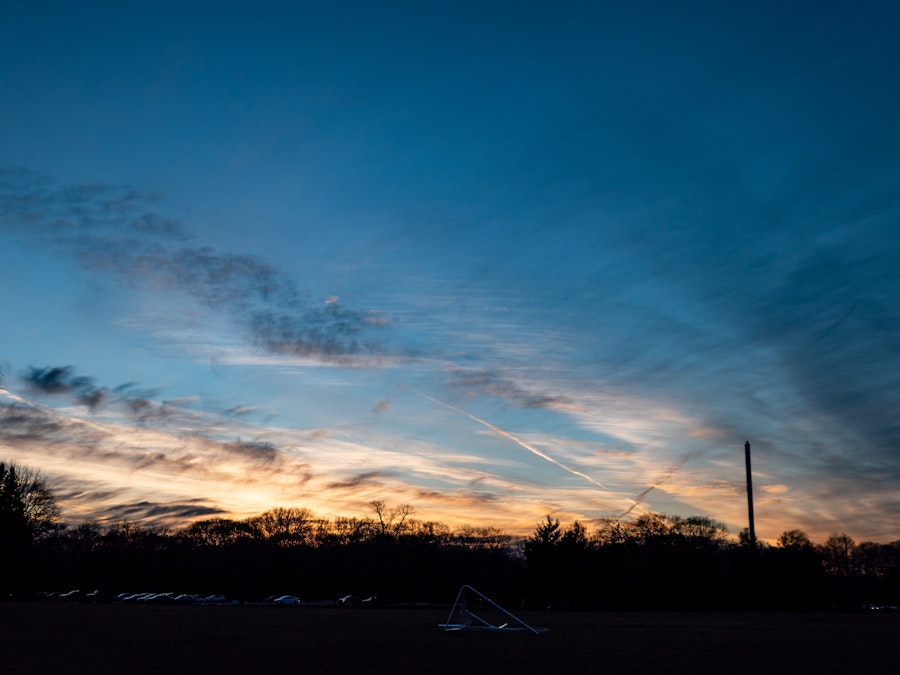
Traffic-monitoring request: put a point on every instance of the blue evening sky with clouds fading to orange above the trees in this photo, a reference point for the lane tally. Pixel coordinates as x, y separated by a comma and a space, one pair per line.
493, 260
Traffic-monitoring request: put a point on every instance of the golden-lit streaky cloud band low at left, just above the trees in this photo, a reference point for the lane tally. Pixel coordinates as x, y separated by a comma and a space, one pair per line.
106, 466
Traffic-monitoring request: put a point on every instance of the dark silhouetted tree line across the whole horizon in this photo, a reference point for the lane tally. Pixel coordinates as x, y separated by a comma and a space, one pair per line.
655, 561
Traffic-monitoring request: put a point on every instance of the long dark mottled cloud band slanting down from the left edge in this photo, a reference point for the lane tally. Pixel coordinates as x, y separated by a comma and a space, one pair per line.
117, 231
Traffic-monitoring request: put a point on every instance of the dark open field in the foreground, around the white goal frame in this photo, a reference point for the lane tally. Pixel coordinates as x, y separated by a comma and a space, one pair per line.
84, 638
